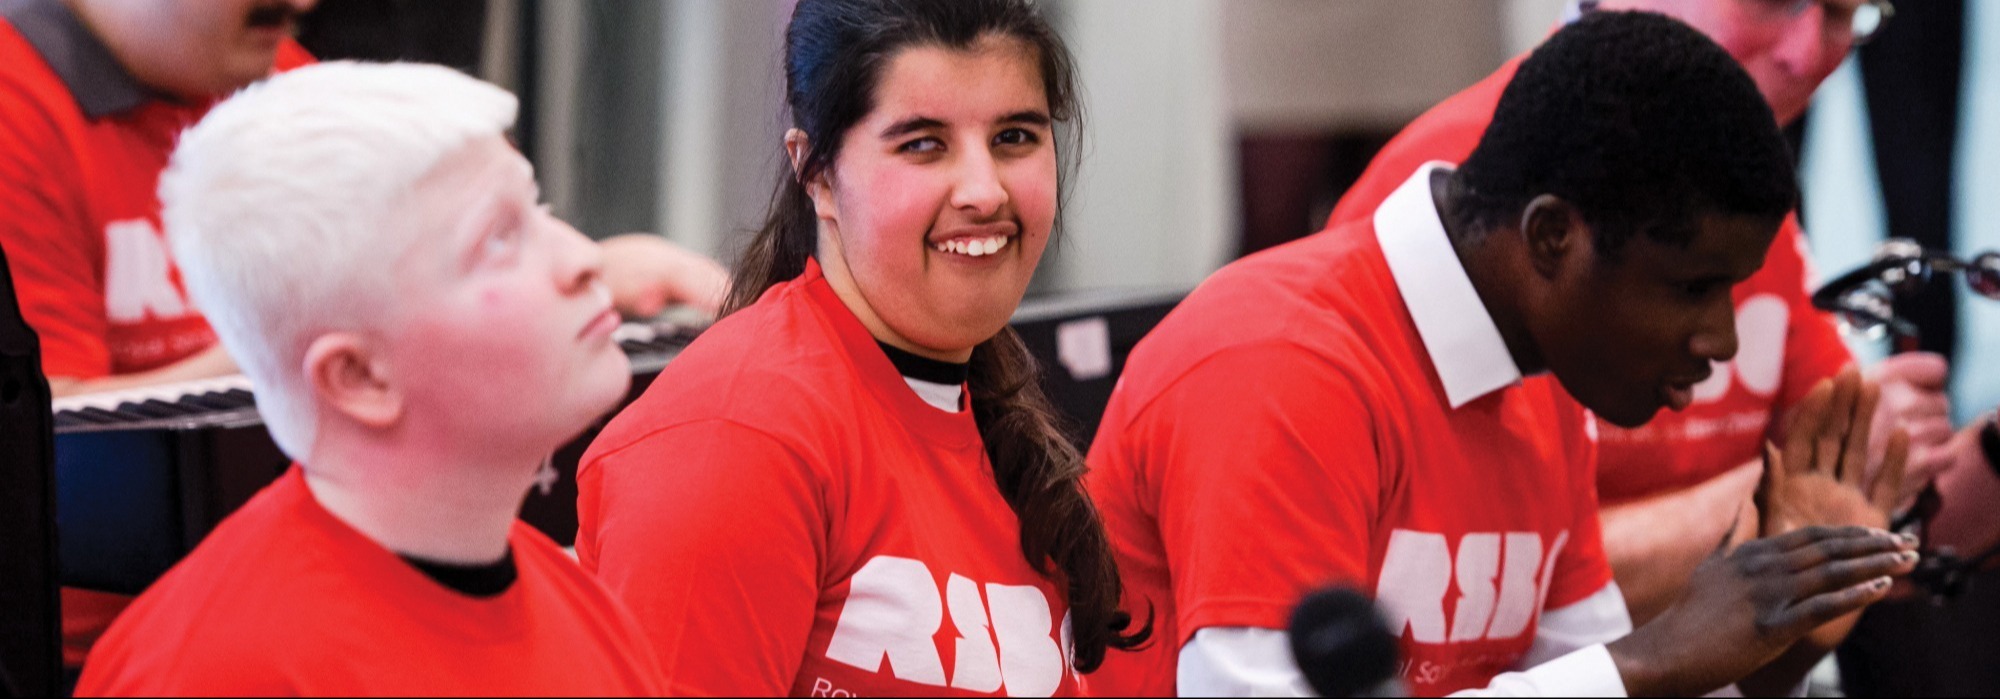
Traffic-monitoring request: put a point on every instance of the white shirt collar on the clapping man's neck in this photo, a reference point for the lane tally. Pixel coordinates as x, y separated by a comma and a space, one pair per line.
1459, 333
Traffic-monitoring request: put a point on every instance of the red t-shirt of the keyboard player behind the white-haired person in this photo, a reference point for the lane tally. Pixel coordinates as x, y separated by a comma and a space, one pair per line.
81, 221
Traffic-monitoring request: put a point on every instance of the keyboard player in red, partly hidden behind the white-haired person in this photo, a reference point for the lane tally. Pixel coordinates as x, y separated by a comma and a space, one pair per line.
93, 99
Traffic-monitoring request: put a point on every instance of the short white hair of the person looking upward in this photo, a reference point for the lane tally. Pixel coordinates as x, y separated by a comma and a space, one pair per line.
275, 207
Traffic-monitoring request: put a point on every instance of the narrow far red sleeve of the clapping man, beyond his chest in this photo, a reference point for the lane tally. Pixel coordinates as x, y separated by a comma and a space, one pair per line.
1581, 570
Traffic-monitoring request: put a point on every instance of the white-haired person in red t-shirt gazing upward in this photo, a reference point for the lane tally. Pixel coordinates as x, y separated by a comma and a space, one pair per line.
423, 335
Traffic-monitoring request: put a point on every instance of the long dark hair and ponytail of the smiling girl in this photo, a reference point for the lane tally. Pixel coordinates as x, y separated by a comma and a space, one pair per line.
835, 57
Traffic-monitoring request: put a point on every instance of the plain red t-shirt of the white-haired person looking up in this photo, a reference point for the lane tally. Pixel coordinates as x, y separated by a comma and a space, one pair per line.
285, 600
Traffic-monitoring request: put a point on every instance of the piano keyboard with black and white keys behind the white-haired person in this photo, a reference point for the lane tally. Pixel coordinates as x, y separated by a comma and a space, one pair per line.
145, 474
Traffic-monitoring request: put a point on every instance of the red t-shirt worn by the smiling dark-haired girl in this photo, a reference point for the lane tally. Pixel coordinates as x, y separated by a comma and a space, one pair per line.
787, 516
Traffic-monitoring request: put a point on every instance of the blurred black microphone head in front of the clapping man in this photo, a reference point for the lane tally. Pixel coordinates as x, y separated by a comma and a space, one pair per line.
1343, 646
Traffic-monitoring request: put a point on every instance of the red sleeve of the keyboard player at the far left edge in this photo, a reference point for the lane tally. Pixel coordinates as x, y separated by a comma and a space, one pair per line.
51, 249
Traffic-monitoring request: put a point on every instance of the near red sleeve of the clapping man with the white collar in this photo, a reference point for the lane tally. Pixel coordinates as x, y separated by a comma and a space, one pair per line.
1271, 486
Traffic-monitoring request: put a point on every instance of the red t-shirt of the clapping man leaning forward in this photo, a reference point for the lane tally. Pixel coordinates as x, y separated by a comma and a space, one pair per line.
1287, 430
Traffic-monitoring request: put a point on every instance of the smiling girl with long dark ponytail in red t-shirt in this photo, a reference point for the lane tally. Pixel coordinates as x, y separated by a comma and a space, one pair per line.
853, 482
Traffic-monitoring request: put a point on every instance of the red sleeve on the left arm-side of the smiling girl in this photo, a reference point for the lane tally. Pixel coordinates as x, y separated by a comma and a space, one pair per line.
713, 534
